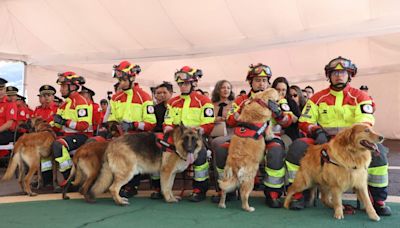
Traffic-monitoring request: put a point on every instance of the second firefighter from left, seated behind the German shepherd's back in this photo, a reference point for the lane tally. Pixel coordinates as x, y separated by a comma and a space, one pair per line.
133, 108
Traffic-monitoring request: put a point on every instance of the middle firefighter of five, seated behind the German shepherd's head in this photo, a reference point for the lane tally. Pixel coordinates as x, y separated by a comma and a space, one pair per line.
192, 110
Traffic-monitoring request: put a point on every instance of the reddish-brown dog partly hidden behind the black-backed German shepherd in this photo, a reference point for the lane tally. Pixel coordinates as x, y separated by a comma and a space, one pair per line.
87, 162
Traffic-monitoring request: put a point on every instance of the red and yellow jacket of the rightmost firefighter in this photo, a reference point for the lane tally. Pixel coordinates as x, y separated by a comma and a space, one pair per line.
333, 110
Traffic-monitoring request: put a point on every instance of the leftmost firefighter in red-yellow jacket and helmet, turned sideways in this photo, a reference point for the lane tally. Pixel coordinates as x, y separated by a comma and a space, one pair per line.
73, 119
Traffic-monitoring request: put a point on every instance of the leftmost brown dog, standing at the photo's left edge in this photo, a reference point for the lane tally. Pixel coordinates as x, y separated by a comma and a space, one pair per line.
28, 150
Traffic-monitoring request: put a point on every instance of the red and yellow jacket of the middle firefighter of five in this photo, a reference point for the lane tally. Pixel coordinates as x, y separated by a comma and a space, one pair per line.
193, 110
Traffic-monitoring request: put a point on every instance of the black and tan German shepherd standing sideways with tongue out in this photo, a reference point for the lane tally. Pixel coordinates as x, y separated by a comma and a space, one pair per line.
132, 154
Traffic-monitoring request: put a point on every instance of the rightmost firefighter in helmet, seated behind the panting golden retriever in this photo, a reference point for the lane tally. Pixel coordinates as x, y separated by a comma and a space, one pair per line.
329, 111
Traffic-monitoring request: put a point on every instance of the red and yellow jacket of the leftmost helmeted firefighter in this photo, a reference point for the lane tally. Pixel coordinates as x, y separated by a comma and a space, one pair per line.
78, 112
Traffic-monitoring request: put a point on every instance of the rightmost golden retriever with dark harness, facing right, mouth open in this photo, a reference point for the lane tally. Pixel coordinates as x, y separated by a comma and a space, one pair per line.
337, 166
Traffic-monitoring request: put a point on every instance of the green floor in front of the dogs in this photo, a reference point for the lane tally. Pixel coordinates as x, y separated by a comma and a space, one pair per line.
143, 212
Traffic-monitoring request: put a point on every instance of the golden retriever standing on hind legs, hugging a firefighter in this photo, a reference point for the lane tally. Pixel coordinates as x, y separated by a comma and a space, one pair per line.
246, 153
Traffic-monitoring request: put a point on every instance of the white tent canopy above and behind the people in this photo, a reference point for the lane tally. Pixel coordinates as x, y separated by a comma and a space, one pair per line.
222, 37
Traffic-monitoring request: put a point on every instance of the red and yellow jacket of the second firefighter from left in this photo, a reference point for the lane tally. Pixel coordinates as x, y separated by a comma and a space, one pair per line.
133, 106
